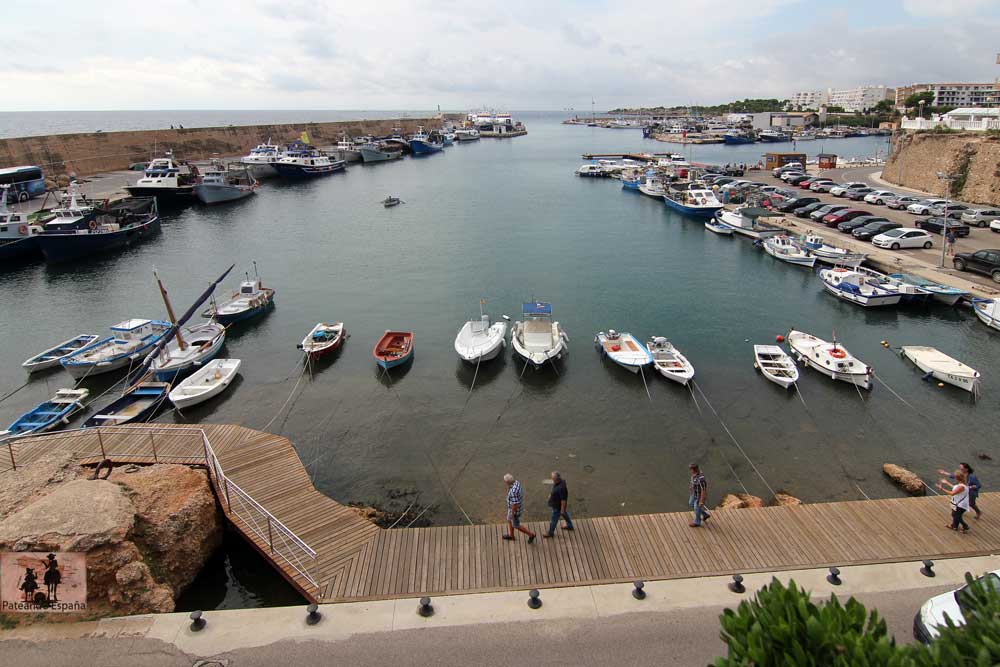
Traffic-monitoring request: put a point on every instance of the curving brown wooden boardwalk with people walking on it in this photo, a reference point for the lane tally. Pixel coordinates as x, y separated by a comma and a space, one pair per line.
355, 560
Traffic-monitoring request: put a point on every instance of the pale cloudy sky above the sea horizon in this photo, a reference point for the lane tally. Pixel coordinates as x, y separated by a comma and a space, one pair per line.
518, 54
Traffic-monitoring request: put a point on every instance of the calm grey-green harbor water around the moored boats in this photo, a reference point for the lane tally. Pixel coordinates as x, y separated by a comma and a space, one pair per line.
508, 221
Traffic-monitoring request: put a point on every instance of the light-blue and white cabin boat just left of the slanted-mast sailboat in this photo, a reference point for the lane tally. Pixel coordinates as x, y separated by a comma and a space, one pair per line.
128, 343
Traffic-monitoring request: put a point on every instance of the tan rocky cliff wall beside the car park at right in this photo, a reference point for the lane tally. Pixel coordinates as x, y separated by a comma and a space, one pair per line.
973, 159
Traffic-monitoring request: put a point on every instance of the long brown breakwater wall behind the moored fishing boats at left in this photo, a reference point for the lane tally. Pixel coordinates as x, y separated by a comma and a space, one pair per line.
97, 152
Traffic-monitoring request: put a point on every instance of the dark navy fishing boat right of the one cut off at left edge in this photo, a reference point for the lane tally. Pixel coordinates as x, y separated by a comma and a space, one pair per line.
112, 227
